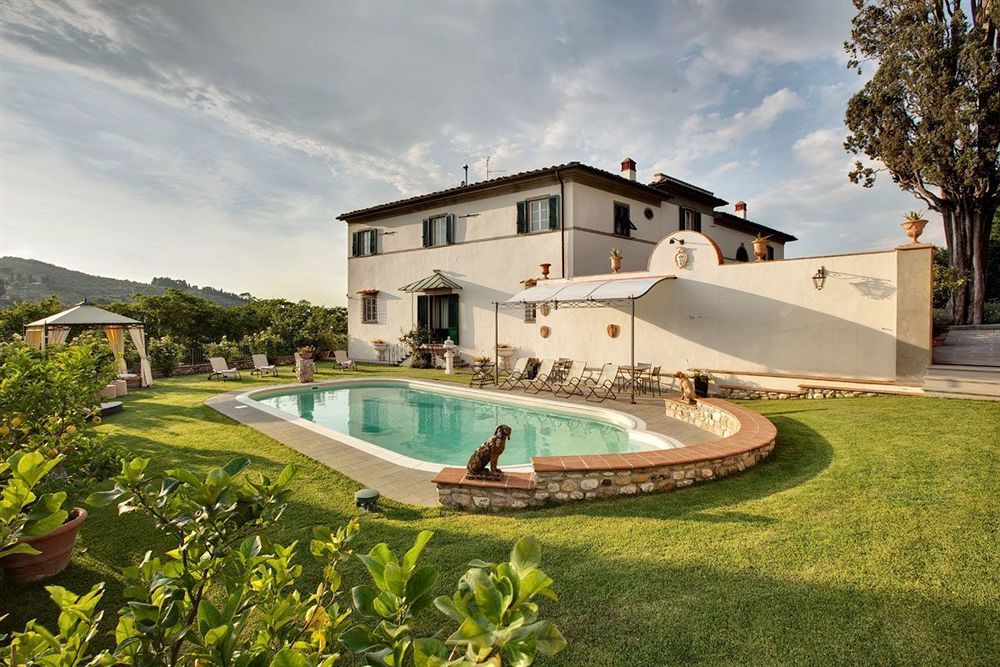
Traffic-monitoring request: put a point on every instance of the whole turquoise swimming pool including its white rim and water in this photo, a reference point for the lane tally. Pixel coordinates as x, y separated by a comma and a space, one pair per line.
428, 426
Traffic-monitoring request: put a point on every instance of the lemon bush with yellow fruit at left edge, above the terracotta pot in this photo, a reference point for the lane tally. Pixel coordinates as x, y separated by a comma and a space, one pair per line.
49, 403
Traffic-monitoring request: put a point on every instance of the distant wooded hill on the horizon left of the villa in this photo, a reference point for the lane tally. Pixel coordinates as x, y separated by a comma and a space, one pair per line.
31, 280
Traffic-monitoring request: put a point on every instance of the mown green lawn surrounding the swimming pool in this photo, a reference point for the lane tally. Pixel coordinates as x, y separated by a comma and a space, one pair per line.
871, 535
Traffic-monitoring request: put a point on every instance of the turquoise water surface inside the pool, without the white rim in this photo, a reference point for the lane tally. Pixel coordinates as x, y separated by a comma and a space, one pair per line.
444, 428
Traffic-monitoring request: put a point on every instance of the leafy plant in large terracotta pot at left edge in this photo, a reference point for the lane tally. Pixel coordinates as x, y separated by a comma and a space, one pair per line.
37, 535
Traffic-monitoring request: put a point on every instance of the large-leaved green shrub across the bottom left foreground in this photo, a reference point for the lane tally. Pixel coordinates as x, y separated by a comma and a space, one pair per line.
227, 595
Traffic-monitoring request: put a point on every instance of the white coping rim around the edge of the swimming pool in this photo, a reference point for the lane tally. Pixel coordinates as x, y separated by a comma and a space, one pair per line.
634, 426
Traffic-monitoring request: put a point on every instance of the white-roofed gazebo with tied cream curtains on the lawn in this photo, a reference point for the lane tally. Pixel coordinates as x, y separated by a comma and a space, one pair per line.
54, 330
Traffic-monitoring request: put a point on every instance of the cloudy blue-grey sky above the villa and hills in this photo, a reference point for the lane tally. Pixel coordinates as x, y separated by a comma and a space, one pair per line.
218, 141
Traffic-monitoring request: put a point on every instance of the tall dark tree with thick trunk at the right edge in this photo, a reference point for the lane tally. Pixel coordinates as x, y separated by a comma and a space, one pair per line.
931, 115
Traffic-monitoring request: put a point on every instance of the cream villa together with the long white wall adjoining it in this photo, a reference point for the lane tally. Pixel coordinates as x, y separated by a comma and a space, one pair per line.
524, 260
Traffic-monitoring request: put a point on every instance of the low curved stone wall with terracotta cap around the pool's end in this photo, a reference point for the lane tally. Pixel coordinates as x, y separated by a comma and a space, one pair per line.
747, 438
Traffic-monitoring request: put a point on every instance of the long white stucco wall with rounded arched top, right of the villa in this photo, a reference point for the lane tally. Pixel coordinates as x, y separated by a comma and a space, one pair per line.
763, 317
